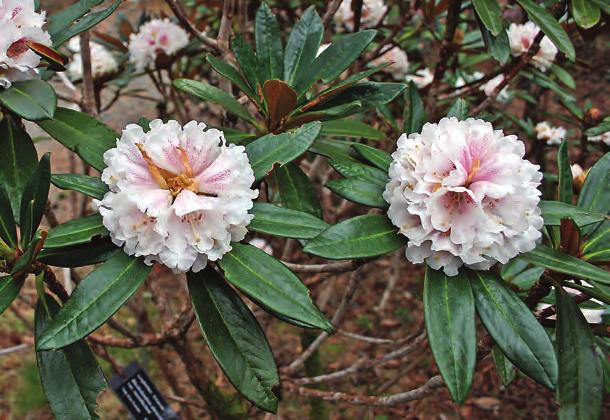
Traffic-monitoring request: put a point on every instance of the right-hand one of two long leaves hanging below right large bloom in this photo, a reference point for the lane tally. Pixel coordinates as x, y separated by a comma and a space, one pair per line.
513, 327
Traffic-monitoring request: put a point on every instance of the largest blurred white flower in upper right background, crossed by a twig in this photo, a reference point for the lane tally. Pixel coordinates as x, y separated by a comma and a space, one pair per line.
521, 38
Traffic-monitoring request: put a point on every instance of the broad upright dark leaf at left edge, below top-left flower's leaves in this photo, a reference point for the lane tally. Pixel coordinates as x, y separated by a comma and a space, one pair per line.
19, 160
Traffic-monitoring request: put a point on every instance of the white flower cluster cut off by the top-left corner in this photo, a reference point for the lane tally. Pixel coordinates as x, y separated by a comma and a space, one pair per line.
20, 24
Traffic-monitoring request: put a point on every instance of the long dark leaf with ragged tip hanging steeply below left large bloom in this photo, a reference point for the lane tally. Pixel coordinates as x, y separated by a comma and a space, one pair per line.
235, 338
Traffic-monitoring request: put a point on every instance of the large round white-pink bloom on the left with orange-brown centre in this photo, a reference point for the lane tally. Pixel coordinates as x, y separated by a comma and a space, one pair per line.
178, 195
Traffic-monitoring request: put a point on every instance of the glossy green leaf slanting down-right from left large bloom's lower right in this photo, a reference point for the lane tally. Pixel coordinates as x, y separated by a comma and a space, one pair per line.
272, 285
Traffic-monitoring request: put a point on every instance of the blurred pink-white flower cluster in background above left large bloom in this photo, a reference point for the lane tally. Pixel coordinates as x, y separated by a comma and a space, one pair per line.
154, 38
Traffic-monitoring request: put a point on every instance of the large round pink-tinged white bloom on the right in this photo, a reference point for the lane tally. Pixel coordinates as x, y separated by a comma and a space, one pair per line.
462, 194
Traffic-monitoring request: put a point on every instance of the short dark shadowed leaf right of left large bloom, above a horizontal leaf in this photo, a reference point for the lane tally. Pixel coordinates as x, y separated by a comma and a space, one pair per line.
296, 190
